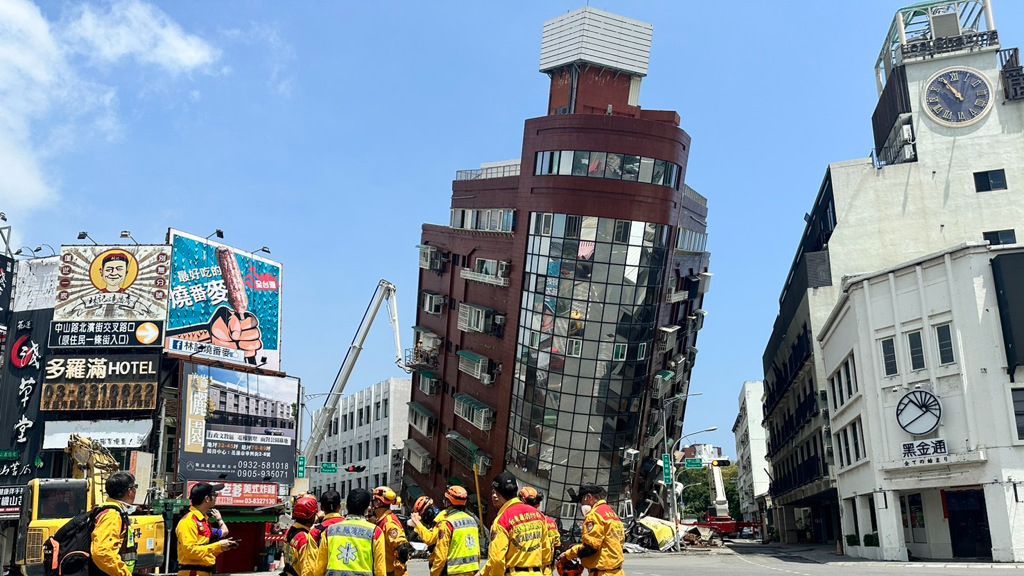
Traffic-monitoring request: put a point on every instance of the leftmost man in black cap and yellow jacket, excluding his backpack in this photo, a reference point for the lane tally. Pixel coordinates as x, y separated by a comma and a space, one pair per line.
113, 547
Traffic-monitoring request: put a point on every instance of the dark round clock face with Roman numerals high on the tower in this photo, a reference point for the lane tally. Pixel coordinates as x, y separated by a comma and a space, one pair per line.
958, 97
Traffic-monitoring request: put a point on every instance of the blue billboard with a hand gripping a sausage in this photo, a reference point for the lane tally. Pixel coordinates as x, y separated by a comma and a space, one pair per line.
225, 304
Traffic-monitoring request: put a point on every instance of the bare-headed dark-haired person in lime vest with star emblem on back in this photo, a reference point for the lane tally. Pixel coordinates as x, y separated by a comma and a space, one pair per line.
354, 547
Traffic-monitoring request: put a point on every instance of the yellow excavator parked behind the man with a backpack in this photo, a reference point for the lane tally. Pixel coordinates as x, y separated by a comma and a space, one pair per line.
50, 504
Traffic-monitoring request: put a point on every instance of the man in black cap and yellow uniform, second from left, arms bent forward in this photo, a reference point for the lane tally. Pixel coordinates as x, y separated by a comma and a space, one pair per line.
199, 546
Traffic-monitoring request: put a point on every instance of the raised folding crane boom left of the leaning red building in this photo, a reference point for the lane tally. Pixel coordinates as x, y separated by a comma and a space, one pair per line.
386, 295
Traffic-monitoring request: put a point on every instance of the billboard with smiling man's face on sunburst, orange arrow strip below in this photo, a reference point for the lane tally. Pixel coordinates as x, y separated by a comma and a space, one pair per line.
111, 297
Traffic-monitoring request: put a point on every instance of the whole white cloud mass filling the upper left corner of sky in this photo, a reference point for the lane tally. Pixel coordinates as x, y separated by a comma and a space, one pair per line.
47, 106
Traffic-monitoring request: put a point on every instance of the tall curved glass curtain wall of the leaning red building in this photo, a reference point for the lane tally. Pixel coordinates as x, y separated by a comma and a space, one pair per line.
587, 327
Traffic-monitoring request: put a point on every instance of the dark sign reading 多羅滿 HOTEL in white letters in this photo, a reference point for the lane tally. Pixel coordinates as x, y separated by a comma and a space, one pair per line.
102, 382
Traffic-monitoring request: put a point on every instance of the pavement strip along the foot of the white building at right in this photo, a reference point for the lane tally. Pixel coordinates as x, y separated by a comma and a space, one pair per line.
826, 554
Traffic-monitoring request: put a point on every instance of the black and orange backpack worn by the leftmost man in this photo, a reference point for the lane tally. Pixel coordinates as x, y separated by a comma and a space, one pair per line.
69, 552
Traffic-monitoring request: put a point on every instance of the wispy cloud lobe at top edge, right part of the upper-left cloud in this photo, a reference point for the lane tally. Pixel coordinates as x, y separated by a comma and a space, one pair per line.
131, 29
